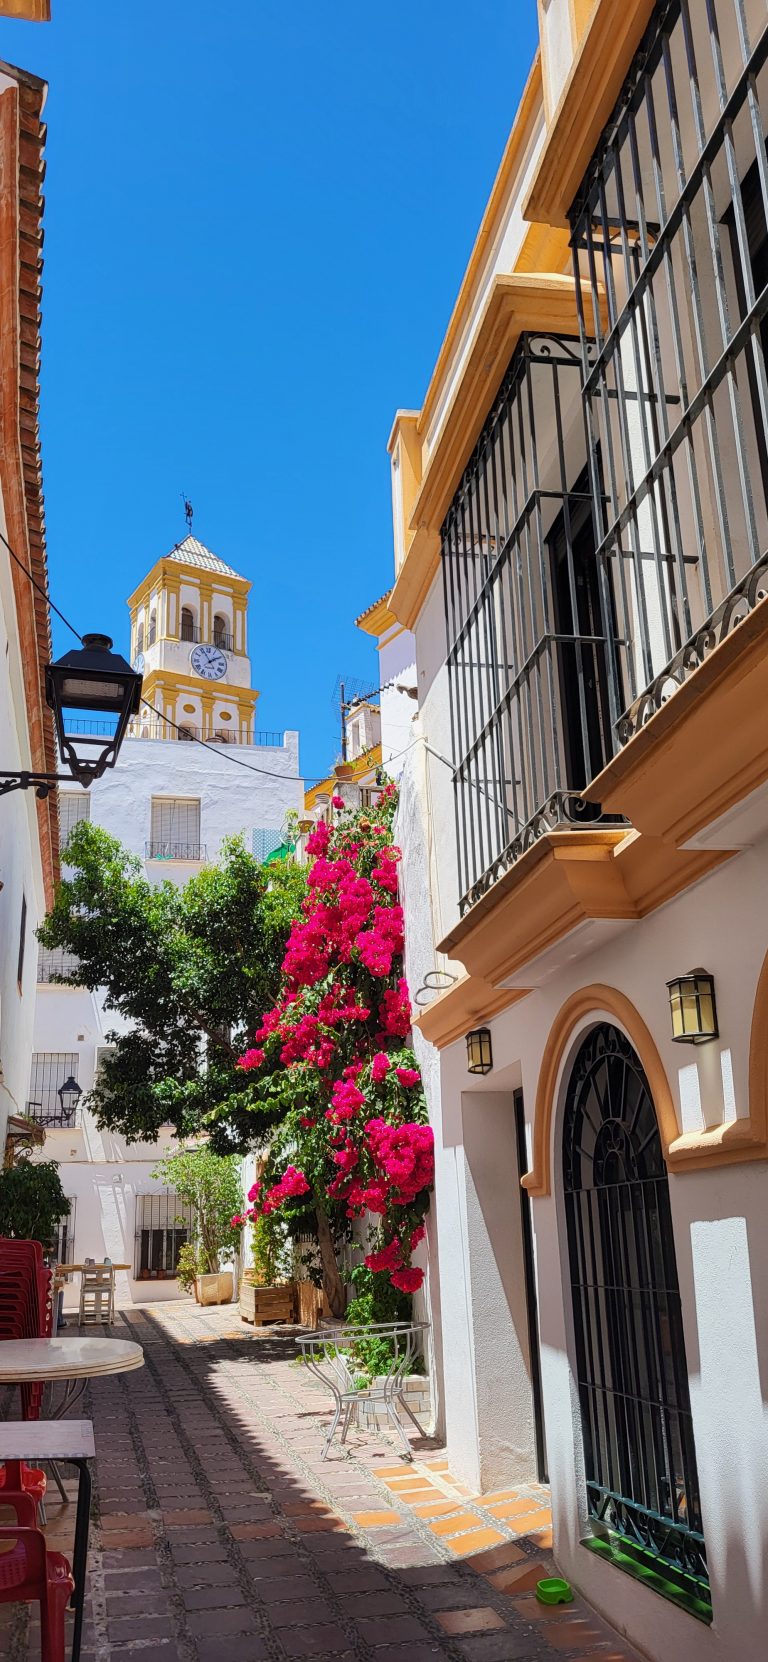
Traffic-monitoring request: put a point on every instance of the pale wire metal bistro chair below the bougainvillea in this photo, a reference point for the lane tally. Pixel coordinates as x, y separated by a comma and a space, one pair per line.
332, 1357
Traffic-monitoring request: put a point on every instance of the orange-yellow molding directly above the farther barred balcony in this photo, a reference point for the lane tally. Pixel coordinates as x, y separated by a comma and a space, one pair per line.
518, 303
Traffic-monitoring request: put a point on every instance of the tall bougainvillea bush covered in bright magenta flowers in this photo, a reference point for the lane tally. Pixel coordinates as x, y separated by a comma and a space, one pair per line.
353, 1141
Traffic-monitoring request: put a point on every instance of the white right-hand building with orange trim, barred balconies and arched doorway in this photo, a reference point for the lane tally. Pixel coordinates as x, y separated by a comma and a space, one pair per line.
581, 551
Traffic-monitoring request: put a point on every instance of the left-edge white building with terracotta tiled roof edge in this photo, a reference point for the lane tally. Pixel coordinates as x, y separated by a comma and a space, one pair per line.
29, 825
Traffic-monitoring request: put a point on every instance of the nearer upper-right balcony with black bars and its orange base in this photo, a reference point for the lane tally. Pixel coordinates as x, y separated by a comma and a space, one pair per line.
672, 219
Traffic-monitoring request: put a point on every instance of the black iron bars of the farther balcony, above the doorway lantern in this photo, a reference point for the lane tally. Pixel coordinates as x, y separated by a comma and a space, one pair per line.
526, 644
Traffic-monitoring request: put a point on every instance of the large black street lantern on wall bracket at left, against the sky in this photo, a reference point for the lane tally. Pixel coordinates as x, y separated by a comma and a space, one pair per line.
91, 682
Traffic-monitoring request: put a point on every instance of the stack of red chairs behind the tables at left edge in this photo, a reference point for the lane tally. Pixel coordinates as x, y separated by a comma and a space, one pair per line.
26, 1314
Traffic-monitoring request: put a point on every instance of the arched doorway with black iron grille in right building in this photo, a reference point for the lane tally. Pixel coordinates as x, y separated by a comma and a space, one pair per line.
641, 1463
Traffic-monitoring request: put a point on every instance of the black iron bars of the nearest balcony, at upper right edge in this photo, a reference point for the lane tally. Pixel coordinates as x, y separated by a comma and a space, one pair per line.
671, 229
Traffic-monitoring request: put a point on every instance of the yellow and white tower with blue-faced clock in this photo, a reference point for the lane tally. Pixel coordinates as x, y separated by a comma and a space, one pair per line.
190, 641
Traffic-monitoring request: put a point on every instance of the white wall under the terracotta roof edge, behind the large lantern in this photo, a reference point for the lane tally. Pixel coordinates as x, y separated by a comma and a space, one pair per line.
21, 867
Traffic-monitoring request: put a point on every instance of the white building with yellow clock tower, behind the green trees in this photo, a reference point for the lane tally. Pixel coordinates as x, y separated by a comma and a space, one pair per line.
182, 785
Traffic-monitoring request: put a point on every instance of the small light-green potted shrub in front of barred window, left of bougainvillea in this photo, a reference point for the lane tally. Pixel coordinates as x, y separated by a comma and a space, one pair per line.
210, 1186
